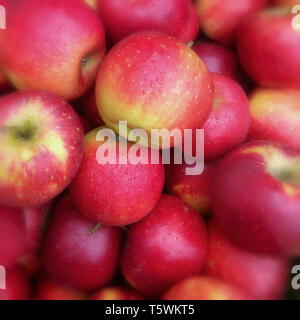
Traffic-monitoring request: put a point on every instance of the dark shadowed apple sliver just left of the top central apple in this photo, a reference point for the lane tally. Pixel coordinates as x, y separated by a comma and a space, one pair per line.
90, 109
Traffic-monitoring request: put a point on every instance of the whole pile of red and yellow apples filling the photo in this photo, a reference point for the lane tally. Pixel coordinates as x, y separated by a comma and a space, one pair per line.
72, 228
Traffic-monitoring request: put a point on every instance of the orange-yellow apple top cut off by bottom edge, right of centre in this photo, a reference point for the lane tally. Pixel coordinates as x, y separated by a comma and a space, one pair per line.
203, 288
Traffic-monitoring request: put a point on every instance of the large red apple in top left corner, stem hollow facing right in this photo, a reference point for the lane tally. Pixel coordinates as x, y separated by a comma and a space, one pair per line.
62, 63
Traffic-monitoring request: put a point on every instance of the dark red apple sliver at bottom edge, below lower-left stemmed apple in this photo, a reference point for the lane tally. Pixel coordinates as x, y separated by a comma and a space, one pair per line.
47, 289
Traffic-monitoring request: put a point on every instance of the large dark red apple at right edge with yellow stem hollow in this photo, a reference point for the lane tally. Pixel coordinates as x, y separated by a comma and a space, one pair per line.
257, 198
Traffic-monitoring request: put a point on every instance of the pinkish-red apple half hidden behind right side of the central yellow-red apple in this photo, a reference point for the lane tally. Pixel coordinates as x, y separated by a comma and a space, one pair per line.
229, 122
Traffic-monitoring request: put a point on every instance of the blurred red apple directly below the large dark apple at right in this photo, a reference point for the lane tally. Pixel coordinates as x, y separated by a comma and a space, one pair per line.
263, 277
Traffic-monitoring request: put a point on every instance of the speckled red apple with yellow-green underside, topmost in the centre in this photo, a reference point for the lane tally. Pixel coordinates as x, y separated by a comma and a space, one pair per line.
154, 82
